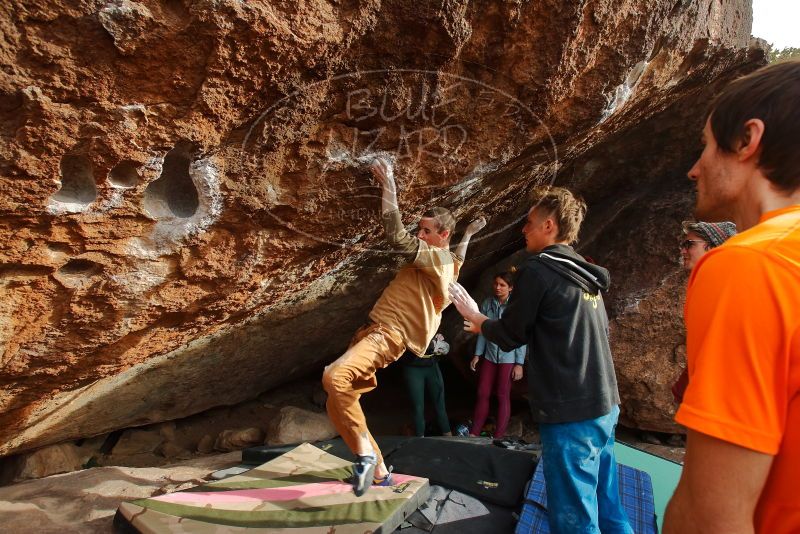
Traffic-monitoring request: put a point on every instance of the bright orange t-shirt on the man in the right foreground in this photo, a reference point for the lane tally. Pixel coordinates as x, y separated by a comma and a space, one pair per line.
743, 349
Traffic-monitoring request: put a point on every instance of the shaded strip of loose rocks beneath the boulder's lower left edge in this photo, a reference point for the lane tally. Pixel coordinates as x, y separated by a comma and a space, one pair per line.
290, 414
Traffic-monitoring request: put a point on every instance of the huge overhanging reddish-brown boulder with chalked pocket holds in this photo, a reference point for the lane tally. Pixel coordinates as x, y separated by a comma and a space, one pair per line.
184, 222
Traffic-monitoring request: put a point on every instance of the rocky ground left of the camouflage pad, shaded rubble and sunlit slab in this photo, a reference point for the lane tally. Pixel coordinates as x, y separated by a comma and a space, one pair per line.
98, 473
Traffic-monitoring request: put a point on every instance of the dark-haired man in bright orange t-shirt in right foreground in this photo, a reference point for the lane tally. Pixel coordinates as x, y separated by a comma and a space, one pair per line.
742, 406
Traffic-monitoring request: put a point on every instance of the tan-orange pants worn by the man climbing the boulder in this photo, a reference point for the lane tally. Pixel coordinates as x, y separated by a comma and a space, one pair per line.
373, 347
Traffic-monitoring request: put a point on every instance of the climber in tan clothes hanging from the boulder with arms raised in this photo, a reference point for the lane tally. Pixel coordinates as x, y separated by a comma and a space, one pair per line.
405, 317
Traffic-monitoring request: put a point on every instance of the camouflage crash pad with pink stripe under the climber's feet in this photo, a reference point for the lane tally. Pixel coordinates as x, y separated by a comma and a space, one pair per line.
305, 490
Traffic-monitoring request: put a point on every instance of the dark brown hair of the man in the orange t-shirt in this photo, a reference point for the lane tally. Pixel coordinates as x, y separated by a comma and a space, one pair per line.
771, 94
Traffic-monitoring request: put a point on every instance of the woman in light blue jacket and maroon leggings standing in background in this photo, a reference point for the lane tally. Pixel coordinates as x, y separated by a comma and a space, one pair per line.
498, 367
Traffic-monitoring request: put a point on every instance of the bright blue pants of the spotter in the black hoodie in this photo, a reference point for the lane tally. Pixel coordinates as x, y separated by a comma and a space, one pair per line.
581, 477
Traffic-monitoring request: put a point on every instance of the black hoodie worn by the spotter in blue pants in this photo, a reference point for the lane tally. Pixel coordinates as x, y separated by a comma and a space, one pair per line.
556, 308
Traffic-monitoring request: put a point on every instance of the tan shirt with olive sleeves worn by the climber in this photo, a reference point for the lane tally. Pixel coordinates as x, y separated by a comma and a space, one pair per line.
413, 302
